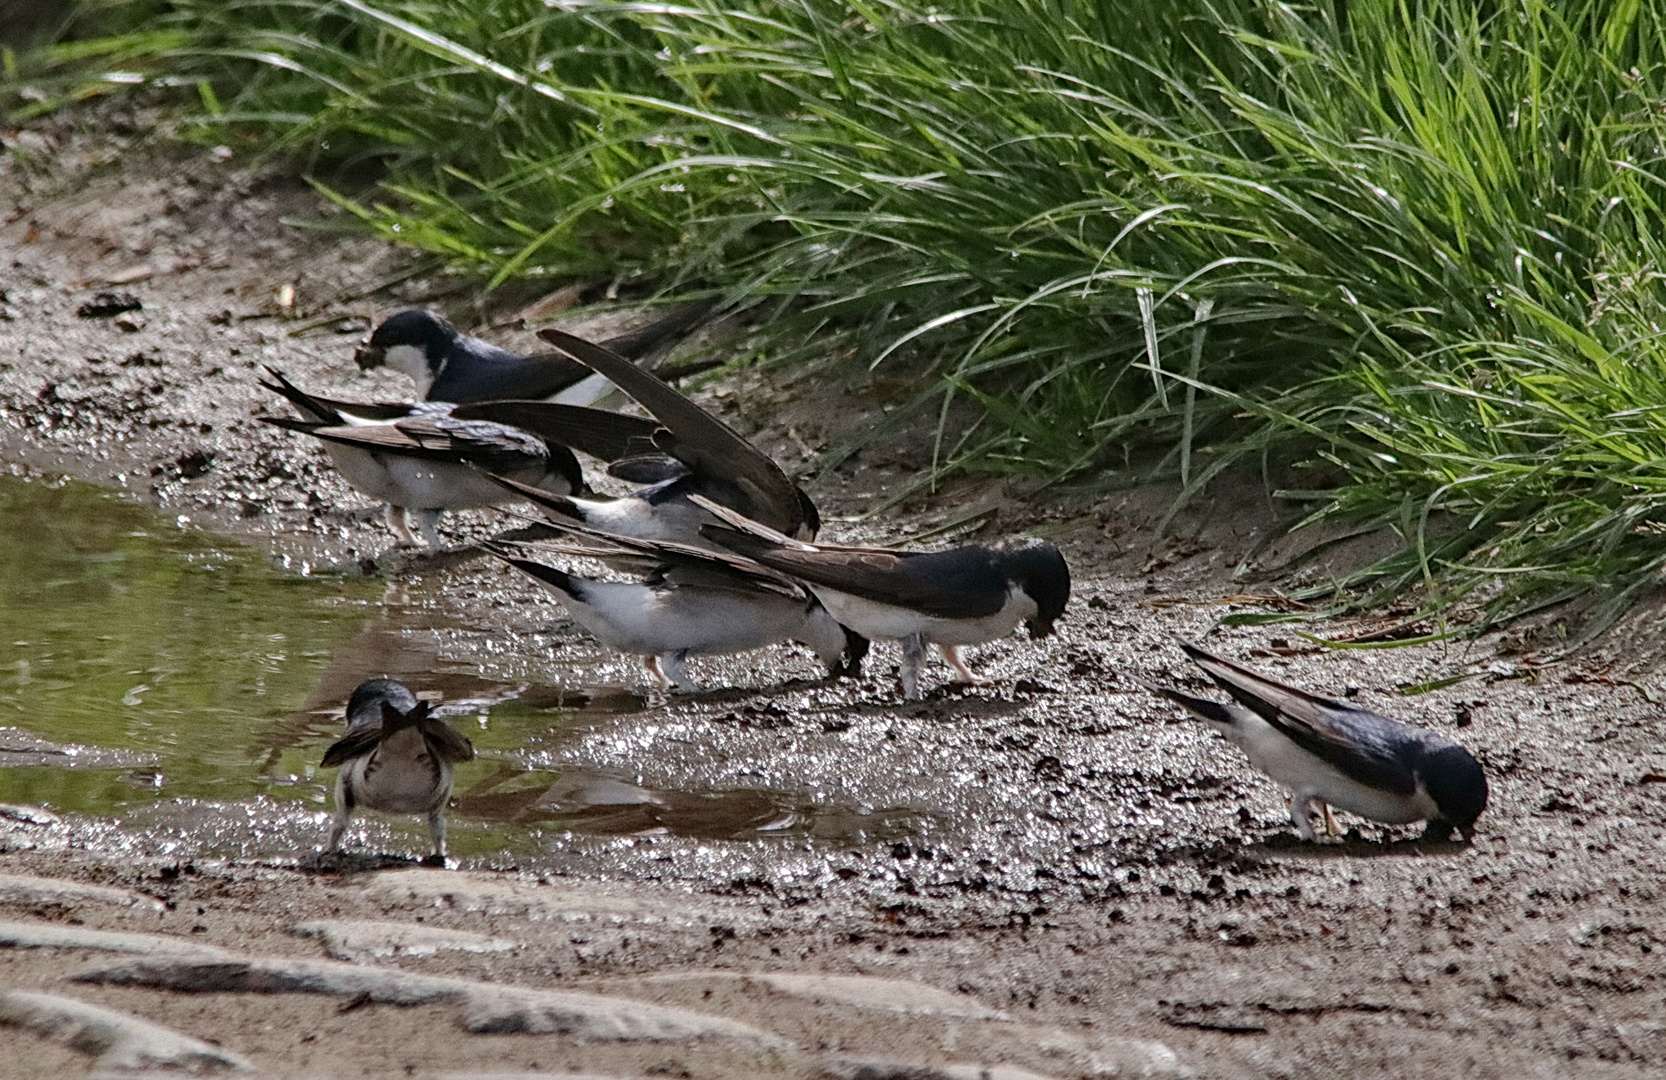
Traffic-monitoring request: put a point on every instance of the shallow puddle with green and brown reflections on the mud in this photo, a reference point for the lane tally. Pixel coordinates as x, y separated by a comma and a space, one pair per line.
186, 687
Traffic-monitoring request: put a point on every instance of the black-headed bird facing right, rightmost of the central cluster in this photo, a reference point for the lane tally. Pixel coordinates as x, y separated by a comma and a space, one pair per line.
952, 599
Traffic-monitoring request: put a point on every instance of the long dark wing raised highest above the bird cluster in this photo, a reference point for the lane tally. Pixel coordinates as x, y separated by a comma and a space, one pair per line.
699, 439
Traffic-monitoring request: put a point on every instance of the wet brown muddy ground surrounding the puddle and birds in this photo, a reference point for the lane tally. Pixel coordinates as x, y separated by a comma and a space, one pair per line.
1080, 857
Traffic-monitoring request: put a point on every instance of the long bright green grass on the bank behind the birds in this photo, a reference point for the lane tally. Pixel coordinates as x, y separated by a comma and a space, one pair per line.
1419, 239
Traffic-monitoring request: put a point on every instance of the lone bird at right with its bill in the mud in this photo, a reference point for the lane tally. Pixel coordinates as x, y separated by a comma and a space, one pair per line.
1332, 754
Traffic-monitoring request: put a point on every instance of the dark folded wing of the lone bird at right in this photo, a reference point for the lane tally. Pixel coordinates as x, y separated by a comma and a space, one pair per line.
1360, 744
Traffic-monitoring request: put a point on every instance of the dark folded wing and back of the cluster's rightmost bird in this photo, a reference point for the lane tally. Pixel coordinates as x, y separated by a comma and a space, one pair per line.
962, 584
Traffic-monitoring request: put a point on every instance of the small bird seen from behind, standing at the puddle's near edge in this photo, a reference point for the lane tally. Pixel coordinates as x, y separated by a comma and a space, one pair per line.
396, 757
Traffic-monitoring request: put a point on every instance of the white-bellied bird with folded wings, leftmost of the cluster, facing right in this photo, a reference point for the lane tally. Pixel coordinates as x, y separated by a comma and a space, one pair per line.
427, 459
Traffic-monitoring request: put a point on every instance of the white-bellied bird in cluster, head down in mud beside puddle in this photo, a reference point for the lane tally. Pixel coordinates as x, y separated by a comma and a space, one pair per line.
692, 602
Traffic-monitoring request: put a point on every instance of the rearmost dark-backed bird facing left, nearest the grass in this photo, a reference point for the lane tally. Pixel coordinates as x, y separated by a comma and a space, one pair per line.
451, 366
